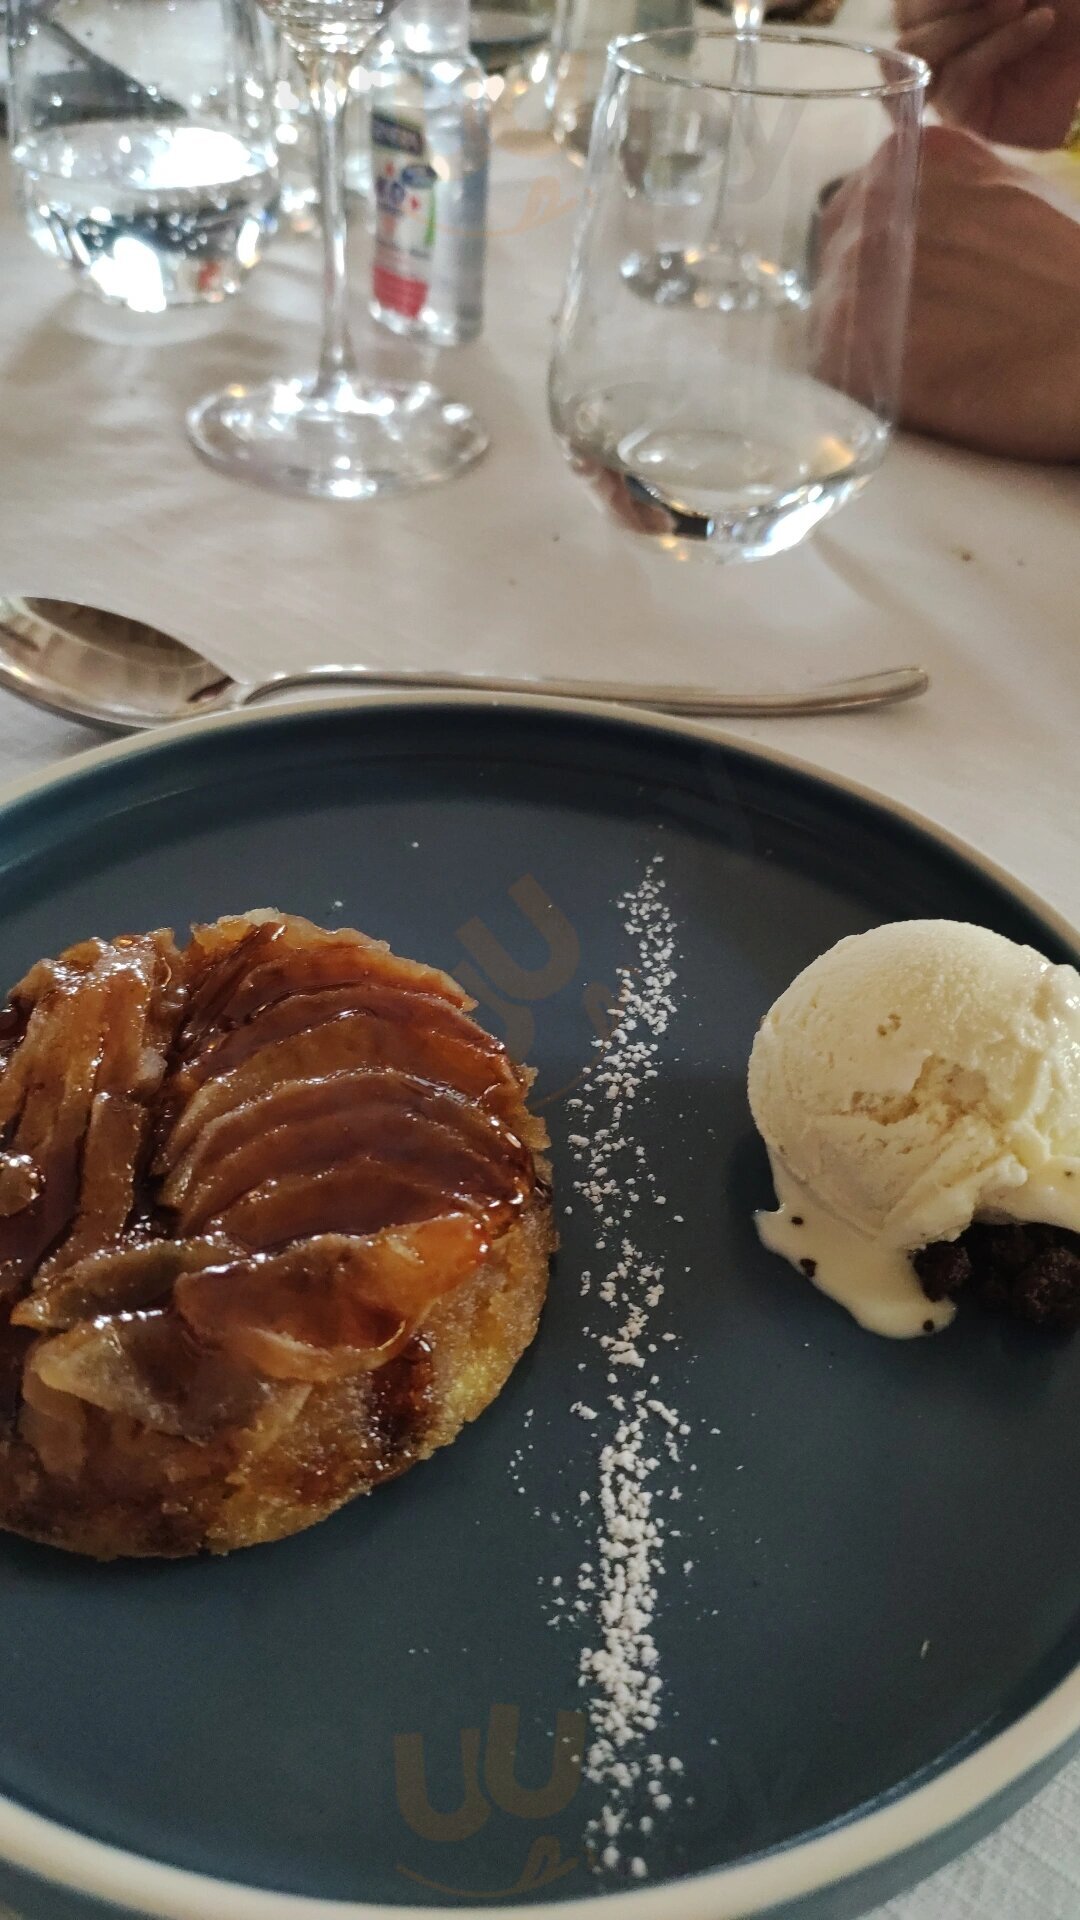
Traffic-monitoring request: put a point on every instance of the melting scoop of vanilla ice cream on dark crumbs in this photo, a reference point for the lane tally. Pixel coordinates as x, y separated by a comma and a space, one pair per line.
908, 1082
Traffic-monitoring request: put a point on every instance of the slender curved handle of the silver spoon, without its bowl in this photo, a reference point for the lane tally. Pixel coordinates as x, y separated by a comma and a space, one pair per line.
839, 696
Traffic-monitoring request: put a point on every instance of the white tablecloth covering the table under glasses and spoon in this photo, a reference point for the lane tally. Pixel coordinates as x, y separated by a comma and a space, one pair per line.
966, 565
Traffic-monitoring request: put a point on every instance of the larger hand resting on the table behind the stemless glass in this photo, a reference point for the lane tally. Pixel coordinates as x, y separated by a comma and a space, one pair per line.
994, 337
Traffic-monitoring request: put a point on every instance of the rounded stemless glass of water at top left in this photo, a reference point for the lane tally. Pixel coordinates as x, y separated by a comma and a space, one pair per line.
143, 143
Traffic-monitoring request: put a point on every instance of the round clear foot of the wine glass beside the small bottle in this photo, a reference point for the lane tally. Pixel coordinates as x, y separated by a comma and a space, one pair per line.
343, 439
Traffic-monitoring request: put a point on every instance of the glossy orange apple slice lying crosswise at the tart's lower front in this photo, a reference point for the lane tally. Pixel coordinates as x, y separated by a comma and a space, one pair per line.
335, 1307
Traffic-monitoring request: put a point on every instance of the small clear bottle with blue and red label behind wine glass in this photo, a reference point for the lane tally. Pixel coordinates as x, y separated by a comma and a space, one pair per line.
430, 172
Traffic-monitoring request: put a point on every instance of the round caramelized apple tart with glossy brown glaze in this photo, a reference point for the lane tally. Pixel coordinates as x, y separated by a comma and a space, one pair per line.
274, 1226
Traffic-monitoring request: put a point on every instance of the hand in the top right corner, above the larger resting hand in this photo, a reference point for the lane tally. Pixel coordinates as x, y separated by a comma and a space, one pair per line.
1002, 68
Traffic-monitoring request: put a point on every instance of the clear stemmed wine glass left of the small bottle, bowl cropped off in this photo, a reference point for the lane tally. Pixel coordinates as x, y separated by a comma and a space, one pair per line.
337, 433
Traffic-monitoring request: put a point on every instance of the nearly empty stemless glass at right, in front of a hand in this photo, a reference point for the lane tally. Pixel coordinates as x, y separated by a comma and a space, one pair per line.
737, 431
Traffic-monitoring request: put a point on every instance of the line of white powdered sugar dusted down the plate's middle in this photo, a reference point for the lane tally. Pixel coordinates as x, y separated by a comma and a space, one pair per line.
637, 1431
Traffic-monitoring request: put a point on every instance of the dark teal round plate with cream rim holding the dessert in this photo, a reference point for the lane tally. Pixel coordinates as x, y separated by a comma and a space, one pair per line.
881, 1620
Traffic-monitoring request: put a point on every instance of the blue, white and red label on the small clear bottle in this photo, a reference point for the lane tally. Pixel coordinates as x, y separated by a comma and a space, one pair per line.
405, 214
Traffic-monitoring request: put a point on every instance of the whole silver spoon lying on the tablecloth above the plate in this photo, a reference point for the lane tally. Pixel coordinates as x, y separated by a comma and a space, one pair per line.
126, 675
